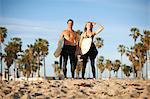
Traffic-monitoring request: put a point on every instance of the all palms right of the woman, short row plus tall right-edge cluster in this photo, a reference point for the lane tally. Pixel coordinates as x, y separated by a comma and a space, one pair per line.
138, 55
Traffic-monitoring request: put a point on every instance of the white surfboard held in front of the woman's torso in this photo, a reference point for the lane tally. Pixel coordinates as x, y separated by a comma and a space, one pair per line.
85, 45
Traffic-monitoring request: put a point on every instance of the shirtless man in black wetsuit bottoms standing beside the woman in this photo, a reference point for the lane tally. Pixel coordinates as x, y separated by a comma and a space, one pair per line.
69, 47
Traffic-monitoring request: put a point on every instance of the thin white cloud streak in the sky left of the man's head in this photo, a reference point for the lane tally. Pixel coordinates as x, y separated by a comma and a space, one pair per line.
19, 25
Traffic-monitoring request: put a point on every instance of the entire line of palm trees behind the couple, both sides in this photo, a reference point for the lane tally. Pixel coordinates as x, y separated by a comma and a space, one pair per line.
30, 60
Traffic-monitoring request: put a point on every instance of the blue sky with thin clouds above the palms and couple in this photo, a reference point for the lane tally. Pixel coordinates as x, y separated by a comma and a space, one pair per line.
31, 19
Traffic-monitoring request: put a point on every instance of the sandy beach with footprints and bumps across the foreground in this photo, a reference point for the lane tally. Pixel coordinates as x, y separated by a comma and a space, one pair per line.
75, 89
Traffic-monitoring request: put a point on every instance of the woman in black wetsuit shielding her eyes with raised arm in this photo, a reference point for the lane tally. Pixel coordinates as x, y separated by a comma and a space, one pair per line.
92, 53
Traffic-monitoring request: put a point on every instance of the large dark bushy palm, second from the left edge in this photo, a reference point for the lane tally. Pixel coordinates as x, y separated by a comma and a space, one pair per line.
11, 50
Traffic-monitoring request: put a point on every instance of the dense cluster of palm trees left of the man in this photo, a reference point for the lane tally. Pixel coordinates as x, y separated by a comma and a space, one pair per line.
27, 61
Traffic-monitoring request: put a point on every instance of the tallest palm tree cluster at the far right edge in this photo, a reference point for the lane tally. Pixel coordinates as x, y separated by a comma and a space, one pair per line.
138, 54
